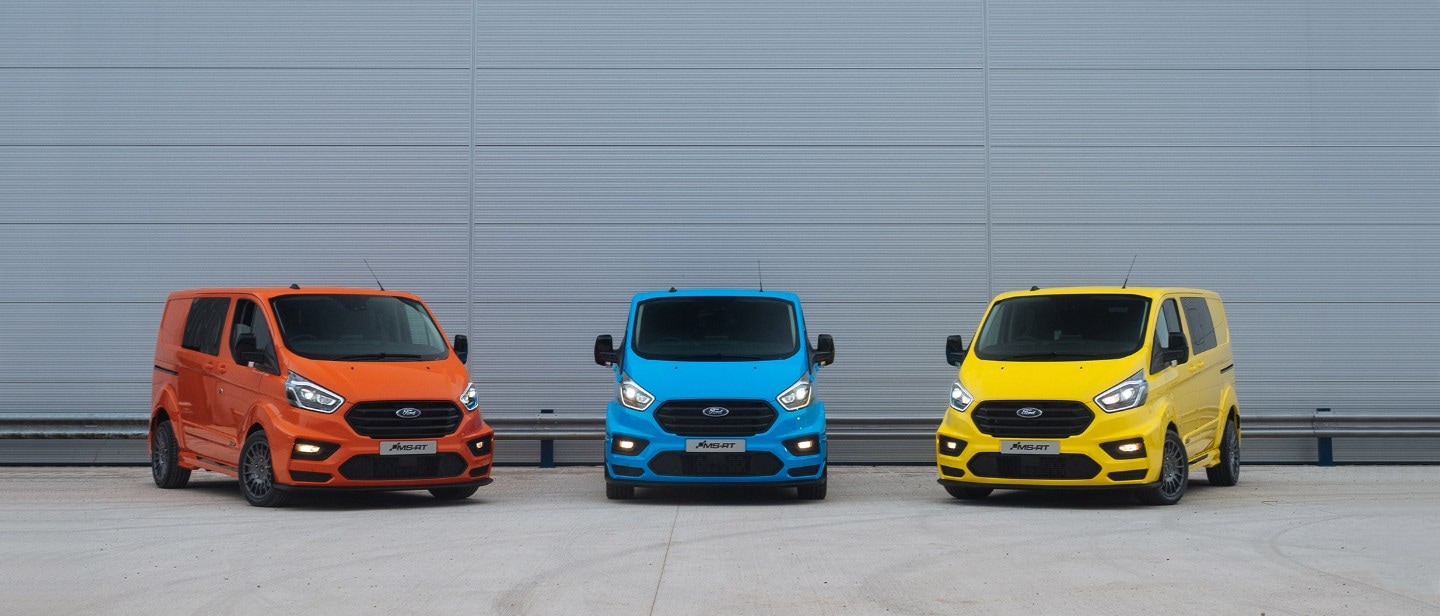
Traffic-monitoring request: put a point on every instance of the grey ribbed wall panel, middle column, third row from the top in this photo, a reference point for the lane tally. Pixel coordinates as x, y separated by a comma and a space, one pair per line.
793, 188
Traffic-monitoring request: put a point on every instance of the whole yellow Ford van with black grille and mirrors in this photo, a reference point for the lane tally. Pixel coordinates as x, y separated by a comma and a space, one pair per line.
1094, 388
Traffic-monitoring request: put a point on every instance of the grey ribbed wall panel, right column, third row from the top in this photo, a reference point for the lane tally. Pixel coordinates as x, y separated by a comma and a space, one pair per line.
1274, 188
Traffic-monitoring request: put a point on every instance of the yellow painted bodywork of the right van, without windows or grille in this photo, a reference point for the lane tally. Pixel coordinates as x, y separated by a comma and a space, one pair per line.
1084, 381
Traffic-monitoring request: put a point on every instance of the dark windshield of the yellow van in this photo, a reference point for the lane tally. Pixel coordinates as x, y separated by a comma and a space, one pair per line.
1063, 329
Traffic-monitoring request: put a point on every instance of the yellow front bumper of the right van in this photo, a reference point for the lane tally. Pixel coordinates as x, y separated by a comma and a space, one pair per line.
967, 457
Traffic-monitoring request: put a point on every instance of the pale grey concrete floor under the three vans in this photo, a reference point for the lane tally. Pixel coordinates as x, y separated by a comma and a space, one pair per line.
1288, 540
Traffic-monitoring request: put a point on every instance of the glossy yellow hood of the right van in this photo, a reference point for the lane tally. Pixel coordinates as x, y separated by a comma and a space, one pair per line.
1045, 381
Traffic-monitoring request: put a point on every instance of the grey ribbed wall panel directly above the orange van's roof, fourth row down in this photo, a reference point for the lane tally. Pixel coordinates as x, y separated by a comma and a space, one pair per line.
103, 264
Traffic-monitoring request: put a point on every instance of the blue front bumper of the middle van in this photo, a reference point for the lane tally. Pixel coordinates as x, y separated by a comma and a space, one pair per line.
767, 460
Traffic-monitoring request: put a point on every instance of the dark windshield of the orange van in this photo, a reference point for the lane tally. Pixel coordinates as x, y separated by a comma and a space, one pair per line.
358, 329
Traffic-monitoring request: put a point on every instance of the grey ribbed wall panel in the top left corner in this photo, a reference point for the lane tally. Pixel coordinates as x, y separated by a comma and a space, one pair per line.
182, 34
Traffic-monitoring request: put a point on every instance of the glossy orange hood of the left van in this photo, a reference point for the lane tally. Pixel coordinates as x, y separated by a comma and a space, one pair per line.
387, 381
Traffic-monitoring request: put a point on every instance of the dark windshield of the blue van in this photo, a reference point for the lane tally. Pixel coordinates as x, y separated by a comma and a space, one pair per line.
715, 329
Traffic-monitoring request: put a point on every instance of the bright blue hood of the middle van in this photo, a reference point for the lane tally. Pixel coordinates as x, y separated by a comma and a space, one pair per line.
731, 381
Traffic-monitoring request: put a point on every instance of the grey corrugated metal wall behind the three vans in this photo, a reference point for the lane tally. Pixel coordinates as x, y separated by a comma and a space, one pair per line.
526, 166
